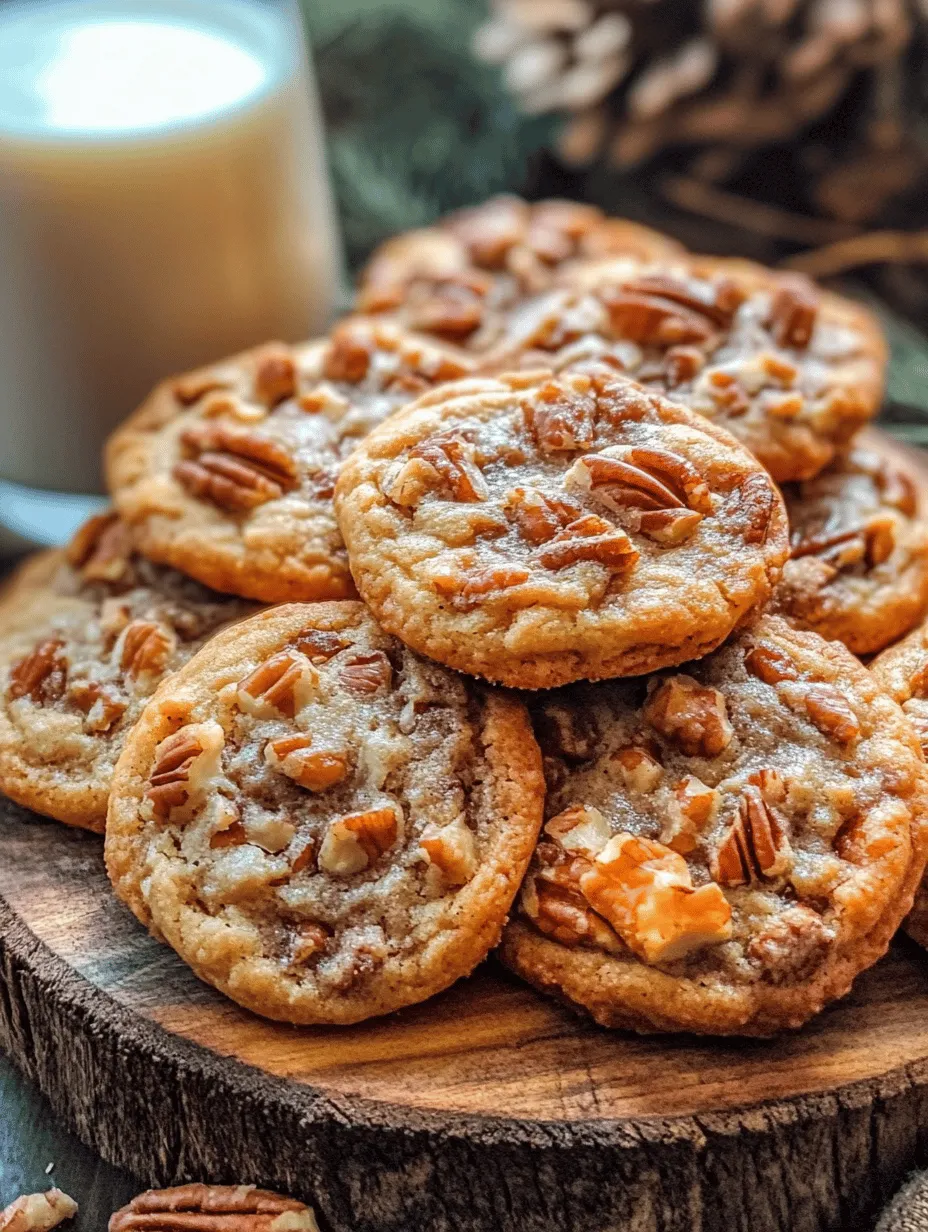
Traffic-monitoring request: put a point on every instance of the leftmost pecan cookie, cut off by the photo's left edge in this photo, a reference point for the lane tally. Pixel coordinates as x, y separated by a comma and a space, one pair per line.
86, 638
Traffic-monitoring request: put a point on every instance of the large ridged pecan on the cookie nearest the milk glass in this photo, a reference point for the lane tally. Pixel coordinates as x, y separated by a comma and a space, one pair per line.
236, 471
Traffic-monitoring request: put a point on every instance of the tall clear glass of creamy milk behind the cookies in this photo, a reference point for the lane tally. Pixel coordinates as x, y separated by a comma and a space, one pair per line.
163, 203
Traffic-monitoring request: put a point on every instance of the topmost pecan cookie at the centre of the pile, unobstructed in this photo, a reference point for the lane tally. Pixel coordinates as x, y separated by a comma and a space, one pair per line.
538, 530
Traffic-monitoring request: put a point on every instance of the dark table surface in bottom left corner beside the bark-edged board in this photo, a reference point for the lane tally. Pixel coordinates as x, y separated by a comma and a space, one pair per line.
31, 1140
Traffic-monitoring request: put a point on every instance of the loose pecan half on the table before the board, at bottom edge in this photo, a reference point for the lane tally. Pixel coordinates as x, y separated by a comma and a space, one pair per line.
214, 1209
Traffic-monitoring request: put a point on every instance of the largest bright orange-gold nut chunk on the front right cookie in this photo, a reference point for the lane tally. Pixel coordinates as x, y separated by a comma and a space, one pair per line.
646, 893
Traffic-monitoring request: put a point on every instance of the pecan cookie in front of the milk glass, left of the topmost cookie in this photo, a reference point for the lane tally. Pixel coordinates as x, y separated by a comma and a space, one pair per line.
227, 474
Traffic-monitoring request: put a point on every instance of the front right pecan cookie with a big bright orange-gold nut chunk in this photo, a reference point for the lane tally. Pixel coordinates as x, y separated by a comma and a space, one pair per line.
728, 847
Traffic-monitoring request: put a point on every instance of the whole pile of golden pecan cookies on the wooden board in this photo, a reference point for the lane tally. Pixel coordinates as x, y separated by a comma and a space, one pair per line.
618, 546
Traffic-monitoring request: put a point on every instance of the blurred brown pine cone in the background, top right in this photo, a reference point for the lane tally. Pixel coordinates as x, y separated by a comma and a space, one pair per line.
724, 79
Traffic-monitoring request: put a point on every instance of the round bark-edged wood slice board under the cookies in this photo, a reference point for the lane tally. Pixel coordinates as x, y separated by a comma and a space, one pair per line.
489, 1109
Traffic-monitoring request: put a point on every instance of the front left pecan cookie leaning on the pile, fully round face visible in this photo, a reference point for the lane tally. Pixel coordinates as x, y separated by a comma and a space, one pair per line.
324, 825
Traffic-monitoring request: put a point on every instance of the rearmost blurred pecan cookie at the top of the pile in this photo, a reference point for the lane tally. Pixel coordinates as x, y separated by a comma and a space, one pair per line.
455, 280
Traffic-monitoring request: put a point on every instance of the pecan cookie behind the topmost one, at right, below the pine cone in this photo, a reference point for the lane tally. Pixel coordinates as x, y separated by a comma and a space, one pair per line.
791, 370
